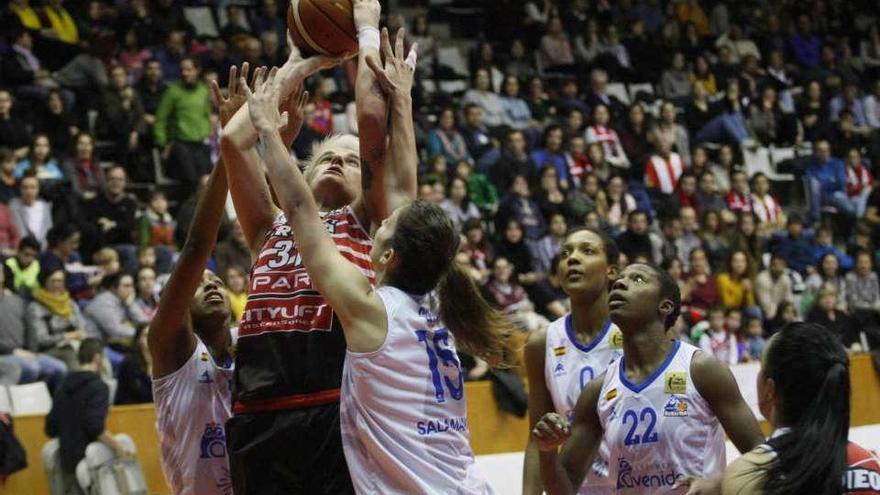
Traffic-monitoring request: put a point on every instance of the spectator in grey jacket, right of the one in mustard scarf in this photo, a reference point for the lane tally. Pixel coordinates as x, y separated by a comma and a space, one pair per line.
113, 312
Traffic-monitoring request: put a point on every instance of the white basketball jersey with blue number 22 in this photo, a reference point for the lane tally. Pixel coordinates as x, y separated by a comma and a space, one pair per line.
659, 430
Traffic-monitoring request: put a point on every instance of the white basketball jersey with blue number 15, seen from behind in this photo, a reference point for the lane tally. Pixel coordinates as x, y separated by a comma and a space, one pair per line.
403, 414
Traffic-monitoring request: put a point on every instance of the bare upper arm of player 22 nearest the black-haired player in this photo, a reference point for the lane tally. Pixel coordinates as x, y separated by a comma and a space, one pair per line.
716, 384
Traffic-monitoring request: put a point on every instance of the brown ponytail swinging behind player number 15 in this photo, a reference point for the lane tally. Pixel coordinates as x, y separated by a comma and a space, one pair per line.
478, 329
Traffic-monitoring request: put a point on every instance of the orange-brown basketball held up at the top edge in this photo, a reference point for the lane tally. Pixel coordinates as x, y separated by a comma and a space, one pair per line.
324, 27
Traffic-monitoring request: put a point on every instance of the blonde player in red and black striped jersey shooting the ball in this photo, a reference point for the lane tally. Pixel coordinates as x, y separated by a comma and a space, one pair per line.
285, 435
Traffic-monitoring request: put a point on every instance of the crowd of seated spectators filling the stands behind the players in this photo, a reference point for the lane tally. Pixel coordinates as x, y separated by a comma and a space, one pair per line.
645, 118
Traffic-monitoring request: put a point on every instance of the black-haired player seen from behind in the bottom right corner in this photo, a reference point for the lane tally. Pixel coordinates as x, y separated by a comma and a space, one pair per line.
804, 391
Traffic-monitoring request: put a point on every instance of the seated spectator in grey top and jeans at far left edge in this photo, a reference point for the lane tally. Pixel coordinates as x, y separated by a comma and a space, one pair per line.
15, 341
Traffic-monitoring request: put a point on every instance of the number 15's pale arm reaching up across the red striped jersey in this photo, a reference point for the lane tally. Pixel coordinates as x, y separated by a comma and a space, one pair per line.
347, 290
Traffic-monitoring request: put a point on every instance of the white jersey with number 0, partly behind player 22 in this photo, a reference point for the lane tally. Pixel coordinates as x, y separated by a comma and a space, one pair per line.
568, 367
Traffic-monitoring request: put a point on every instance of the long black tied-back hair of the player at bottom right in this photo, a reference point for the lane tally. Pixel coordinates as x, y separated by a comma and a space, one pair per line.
811, 372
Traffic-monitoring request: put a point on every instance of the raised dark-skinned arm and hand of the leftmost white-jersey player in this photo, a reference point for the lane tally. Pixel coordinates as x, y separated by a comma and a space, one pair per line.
170, 340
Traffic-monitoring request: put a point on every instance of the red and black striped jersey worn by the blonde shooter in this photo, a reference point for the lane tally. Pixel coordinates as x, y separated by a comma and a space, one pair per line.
290, 346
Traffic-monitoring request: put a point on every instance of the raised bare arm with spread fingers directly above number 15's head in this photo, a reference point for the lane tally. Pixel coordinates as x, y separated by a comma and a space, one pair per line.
399, 175
